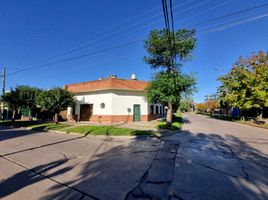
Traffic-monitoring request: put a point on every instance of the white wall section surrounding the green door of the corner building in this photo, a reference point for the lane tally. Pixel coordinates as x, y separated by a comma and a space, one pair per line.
123, 101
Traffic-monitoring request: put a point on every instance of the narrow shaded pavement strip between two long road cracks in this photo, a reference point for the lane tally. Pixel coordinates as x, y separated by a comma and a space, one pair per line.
151, 185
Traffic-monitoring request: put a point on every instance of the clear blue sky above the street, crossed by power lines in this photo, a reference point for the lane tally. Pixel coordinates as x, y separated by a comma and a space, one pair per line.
32, 32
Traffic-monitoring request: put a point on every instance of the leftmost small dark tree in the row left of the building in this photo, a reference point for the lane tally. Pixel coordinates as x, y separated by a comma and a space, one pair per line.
12, 100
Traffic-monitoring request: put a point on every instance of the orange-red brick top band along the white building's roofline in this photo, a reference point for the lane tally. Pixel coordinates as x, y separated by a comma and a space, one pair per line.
107, 84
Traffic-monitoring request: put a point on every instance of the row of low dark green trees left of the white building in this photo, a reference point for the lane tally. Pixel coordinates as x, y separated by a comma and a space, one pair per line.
39, 103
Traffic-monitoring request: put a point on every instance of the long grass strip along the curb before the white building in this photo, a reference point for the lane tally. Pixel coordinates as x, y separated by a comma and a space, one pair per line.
81, 129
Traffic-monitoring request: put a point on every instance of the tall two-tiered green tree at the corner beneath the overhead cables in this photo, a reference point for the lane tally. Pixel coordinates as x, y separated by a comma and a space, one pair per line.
168, 55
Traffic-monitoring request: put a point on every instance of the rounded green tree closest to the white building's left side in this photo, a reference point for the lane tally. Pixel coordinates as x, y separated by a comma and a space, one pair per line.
55, 101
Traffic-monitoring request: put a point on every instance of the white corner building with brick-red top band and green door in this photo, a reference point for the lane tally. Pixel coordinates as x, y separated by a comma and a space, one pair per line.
112, 100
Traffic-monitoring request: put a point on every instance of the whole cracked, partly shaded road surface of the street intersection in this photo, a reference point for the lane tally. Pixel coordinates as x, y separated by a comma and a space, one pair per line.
209, 159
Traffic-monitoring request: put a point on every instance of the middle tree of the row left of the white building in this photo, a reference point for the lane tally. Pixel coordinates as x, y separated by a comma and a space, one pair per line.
27, 96
